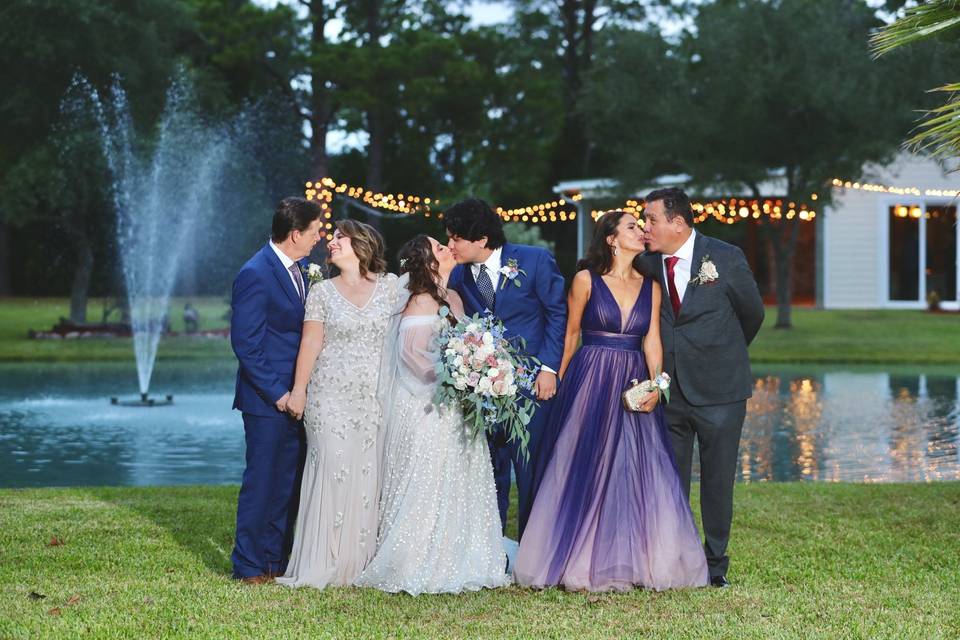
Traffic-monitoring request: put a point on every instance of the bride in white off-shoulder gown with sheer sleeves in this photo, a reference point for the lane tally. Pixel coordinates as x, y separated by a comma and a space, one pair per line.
439, 529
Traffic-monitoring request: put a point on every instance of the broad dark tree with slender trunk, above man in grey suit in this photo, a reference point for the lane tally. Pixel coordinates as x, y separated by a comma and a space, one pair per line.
782, 89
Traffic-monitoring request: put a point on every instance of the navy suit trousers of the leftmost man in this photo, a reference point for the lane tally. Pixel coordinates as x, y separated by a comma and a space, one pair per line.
269, 496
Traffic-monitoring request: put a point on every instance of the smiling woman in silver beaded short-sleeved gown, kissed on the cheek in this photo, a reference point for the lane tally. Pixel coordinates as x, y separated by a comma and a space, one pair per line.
335, 390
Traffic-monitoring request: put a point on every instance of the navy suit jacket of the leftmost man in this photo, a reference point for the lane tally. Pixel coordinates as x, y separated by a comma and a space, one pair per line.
266, 324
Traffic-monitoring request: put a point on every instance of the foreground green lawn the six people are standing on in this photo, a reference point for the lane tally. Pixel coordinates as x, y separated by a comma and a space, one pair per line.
808, 561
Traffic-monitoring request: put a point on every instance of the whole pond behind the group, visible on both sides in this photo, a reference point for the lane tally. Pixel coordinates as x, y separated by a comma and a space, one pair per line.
57, 427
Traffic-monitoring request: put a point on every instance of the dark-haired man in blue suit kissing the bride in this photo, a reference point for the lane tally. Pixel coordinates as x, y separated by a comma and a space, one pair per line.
486, 278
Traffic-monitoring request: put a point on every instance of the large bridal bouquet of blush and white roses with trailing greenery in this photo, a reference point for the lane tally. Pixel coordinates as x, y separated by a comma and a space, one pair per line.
483, 373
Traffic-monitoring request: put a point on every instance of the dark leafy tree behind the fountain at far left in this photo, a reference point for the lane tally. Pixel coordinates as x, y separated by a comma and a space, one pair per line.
48, 177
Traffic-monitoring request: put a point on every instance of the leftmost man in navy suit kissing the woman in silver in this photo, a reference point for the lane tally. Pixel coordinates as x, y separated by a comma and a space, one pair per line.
267, 319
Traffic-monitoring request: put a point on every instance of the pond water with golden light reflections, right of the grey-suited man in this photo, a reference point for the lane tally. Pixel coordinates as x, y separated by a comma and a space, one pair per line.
862, 426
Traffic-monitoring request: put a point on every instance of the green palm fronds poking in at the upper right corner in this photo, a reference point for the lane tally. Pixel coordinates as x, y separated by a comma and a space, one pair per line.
940, 132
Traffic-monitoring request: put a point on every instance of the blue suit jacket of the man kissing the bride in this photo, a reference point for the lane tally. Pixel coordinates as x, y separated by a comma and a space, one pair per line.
535, 311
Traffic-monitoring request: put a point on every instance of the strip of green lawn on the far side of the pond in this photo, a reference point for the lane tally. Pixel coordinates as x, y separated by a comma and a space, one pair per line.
878, 337
